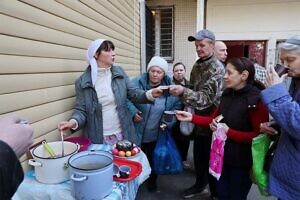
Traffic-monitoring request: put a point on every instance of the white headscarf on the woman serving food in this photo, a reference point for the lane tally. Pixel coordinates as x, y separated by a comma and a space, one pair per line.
91, 59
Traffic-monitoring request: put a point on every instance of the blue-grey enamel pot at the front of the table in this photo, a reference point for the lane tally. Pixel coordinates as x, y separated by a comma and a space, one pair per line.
91, 174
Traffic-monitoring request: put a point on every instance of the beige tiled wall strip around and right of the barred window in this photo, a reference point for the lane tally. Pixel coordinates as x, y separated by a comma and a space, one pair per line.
185, 25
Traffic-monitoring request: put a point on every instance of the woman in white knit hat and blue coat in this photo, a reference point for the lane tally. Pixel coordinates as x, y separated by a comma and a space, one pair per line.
148, 118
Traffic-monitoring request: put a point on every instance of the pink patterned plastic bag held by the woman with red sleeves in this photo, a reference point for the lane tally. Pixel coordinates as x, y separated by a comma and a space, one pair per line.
217, 152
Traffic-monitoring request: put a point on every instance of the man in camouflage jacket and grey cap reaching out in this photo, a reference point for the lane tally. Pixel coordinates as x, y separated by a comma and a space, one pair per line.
206, 82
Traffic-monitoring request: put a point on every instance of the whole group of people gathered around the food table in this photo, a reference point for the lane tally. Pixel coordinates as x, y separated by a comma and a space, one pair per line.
111, 107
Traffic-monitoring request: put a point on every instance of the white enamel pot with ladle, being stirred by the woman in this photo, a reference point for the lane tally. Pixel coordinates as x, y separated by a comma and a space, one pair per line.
52, 170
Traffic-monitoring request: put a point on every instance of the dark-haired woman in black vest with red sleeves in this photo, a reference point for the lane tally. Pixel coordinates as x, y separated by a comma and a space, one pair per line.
243, 111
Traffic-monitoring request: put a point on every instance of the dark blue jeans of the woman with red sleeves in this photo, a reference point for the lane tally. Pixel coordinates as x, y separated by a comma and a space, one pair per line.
234, 183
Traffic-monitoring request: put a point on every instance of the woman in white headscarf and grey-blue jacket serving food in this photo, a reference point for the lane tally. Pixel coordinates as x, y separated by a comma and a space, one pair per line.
101, 93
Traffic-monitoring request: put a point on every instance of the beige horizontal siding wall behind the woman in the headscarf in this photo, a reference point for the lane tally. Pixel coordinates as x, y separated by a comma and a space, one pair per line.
42, 52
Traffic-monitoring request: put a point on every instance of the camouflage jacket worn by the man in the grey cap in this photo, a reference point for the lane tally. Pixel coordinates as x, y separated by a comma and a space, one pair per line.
206, 82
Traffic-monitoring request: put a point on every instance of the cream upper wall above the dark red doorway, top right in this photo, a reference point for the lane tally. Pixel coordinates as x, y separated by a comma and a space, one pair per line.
269, 20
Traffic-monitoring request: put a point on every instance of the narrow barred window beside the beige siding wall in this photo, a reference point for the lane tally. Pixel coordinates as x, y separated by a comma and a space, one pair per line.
163, 32
